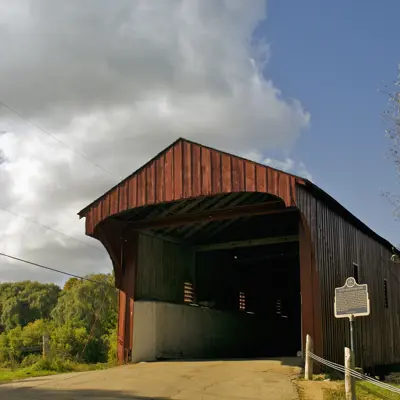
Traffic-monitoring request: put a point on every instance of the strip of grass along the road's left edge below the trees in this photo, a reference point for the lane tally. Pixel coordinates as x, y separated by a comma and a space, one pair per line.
44, 368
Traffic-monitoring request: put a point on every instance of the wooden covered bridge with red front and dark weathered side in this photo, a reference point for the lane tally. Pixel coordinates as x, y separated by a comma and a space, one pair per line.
218, 256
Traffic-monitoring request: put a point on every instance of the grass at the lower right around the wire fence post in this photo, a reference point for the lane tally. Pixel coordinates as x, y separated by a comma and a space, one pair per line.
365, 391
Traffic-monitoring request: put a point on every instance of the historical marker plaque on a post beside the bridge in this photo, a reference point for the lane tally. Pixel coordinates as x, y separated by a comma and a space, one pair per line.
351, 300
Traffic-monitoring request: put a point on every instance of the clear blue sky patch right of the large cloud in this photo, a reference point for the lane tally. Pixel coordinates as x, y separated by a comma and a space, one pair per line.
332, 56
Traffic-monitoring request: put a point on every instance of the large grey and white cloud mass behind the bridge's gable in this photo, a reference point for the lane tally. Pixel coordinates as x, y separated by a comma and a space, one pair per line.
117, 81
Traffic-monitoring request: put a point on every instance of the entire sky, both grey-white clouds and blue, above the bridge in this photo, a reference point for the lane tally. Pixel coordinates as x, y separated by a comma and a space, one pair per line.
287, 83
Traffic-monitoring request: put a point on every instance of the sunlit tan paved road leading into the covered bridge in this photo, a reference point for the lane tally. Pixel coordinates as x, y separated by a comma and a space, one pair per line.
198, 380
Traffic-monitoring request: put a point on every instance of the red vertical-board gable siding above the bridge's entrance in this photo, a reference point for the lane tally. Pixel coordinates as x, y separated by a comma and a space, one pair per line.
189, 170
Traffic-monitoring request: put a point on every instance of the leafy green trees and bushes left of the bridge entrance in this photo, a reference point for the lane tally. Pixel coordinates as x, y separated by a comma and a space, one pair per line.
80, 320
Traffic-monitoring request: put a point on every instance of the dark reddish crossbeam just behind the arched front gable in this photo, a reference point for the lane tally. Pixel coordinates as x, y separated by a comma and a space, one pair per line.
212, 215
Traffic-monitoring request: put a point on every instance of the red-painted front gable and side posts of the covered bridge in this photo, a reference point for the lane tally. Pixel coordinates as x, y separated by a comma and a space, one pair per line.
188, 170
